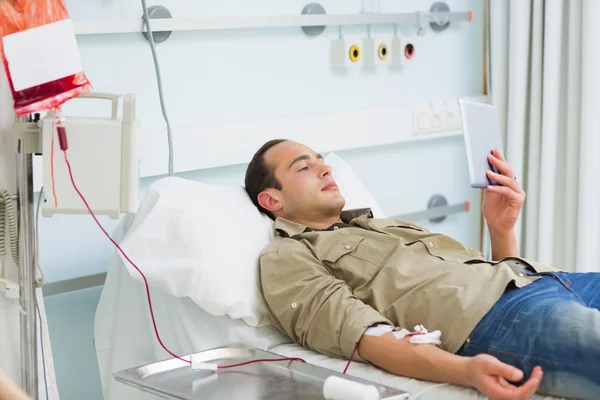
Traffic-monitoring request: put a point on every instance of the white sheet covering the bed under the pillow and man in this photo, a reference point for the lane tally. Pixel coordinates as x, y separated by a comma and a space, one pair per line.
124, 337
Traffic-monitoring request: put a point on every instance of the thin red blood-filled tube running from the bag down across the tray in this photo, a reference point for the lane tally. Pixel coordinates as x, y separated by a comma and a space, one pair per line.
64, 146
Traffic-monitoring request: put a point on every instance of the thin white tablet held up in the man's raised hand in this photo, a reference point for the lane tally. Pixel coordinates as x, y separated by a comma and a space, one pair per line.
481, 130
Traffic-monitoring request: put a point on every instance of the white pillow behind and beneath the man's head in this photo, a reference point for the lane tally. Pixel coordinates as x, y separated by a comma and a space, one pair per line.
203, 241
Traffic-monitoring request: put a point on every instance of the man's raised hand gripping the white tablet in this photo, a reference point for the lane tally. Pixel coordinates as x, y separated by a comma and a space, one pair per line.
502, 204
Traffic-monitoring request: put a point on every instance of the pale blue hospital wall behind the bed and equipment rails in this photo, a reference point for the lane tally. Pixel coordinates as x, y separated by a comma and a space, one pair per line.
259, 73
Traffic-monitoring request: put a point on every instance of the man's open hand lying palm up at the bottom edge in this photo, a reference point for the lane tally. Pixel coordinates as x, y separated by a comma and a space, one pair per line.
492, 378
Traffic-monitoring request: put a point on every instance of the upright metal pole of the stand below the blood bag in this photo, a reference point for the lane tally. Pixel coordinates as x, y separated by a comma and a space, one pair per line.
27, 284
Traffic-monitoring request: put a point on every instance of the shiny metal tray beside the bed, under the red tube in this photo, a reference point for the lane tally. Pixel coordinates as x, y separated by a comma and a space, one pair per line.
174, 379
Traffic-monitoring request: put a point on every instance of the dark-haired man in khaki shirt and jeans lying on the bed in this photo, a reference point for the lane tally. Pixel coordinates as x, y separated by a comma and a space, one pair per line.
329, 275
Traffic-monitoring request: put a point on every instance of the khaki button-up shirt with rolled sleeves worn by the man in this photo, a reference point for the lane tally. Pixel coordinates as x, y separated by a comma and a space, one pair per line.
325, 288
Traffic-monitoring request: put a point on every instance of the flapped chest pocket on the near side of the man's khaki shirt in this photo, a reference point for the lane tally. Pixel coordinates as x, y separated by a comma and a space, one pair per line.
357, 259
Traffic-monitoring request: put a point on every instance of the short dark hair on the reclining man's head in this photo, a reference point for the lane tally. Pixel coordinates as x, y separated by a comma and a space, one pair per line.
261, 176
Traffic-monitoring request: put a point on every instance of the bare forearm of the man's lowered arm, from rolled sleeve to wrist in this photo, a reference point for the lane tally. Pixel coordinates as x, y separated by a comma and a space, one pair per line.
419, 361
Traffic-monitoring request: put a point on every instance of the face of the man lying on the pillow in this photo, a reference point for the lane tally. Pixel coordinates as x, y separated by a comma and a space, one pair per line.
308, 188
